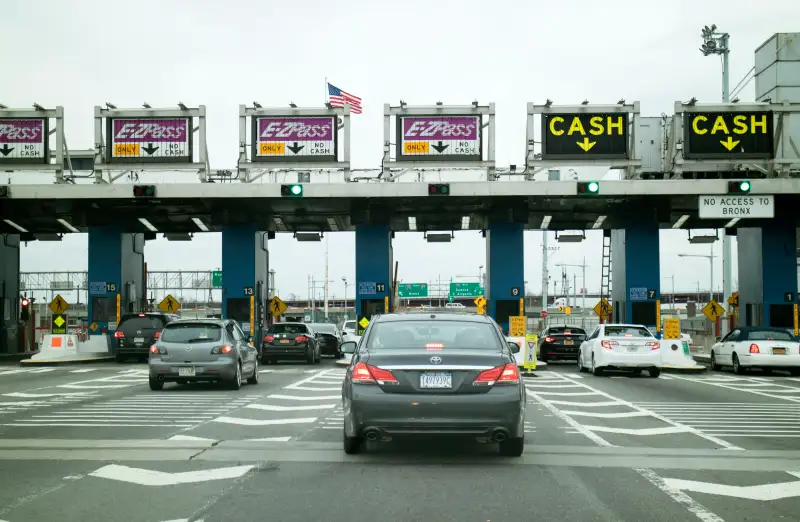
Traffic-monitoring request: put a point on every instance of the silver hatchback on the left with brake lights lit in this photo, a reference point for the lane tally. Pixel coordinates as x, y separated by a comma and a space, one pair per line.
194, 350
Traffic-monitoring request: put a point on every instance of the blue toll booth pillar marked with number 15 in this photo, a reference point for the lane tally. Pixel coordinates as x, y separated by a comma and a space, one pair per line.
116, 277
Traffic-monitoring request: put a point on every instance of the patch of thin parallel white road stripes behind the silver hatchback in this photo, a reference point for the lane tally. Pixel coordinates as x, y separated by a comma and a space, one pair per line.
178, 410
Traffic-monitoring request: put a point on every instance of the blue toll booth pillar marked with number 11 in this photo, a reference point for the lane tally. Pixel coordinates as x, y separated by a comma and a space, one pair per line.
374, 259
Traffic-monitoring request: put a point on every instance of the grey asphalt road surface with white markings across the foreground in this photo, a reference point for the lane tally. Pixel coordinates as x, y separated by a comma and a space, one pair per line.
94, 443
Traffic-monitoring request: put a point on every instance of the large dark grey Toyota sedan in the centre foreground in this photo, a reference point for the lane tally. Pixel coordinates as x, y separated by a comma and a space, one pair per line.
428, 374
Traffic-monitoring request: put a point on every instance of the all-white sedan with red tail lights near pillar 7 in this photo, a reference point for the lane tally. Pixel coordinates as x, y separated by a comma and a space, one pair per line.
630, 347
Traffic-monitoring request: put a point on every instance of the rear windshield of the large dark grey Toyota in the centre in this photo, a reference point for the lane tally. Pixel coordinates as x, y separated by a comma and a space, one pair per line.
409, 335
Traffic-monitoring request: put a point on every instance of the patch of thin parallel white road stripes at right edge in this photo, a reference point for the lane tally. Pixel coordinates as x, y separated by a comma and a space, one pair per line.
729, 419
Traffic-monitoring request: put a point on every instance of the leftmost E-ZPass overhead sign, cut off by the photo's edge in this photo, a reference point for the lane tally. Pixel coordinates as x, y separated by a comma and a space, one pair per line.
25, 139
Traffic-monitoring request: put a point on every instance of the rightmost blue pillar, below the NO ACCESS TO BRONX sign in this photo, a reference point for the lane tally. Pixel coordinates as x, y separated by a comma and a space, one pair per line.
767, 274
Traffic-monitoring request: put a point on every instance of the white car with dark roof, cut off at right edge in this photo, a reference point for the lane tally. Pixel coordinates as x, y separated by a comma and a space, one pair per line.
761, 347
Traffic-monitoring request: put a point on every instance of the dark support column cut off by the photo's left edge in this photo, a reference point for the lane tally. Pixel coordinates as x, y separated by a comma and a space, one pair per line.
9, 293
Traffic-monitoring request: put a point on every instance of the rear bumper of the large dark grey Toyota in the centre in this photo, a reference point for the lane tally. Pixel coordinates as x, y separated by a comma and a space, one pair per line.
479, 415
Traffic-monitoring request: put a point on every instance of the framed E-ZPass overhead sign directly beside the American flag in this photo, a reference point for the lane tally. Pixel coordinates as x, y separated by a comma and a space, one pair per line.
293, 138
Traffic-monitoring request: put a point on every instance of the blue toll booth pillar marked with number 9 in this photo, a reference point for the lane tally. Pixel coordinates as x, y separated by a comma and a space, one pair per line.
505, 271
